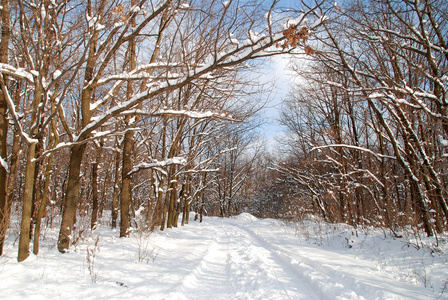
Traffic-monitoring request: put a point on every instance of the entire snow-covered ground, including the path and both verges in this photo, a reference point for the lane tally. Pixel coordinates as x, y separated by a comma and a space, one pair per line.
238, 258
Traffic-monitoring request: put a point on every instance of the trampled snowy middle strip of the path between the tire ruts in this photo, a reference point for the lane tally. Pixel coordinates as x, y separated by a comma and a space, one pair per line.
236, 266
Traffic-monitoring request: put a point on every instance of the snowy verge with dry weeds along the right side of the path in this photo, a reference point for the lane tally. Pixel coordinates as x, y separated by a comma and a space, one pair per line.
411, 257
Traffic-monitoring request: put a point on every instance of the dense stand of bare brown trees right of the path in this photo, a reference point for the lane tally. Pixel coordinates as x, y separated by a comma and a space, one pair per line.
381, 68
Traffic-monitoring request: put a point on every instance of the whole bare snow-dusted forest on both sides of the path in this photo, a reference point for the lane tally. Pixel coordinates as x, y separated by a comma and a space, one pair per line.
151, 108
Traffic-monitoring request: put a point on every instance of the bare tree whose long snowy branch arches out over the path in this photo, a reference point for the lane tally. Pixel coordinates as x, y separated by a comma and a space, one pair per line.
223, 54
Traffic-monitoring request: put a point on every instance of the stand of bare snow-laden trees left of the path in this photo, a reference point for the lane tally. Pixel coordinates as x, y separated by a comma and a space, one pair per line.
128, 78
